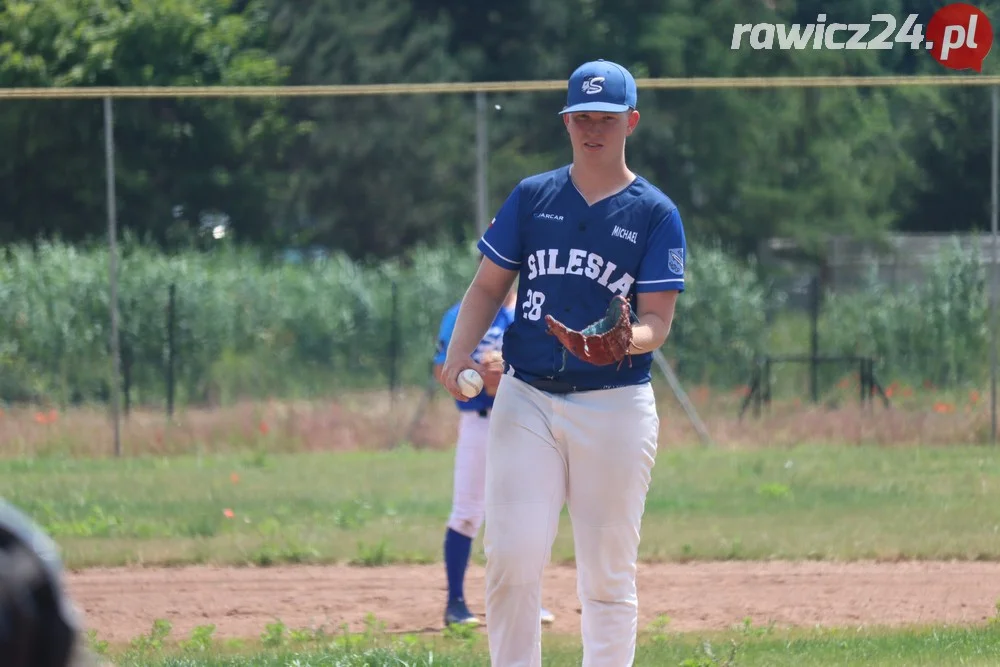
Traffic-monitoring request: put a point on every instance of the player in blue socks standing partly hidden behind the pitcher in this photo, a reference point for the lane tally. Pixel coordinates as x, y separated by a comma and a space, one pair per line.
470, 458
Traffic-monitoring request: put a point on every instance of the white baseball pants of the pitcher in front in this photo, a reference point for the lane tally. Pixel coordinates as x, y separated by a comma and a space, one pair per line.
593, 451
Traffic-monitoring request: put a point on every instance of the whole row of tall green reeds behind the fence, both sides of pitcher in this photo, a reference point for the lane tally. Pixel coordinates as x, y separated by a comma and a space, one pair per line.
249, 326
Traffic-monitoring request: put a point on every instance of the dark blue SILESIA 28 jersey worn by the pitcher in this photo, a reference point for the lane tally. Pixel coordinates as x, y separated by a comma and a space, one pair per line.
572, 258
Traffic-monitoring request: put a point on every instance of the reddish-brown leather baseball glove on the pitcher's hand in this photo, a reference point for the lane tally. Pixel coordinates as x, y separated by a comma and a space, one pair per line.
603, 342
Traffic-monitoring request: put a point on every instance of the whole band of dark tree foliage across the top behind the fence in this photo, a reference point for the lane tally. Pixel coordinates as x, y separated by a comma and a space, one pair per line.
373, 176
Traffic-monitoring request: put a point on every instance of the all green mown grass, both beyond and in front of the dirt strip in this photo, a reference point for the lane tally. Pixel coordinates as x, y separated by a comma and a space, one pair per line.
818, 502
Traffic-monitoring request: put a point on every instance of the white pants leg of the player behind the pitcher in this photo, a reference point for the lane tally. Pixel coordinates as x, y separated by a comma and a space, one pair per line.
468, 491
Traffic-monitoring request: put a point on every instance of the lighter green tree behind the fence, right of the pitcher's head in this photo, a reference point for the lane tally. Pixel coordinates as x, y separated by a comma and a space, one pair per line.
748, 164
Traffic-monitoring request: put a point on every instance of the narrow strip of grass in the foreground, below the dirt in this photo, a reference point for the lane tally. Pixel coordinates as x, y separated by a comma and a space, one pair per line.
747, 646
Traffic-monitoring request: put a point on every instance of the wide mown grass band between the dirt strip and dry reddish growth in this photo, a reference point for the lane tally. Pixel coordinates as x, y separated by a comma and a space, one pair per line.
373, 508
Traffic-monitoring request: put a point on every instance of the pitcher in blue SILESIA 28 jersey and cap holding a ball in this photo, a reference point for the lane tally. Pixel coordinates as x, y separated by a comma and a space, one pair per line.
598, 252
